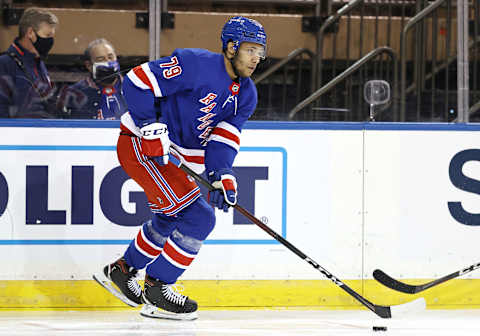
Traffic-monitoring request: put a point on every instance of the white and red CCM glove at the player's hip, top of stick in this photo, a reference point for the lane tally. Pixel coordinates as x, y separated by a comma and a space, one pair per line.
155, 142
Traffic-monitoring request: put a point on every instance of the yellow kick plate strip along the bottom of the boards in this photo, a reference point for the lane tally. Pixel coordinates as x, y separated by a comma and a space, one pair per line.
238, 294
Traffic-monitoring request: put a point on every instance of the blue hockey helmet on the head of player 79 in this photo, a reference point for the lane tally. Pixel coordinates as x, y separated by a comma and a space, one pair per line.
241, 29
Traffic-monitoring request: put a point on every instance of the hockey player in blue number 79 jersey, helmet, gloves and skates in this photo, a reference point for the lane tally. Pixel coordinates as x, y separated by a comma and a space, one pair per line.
191, 105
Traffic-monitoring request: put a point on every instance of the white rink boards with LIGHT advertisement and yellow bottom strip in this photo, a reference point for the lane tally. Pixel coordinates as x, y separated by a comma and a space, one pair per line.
352, 196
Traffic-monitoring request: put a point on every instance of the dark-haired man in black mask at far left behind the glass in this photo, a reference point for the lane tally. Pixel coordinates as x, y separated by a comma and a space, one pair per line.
25, 87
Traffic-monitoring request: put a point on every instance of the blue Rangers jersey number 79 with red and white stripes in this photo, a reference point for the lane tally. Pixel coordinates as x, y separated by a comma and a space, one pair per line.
193, 94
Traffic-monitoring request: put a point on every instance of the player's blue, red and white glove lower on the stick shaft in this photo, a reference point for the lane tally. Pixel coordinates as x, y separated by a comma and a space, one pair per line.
225, 193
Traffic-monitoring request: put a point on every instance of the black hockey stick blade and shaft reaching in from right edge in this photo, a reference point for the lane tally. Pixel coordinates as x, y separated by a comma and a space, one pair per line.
394, 284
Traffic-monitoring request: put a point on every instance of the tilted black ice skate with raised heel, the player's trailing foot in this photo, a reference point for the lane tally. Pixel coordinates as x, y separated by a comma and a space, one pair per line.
120, 279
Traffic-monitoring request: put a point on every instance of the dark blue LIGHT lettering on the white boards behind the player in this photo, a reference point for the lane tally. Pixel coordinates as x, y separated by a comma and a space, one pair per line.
82, 196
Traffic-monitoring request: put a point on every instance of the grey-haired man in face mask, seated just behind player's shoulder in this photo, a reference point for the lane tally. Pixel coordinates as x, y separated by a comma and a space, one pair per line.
100, 95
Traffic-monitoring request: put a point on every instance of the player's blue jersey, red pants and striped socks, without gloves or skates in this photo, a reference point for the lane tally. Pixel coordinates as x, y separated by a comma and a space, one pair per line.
192, 93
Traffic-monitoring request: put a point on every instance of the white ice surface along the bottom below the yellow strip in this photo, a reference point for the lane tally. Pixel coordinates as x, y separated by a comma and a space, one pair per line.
240, 322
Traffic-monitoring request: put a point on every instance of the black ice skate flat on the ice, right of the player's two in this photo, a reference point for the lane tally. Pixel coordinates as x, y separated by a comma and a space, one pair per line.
162, 301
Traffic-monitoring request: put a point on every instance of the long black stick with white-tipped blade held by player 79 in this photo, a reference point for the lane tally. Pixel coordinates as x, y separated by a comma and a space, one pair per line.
382, 311
